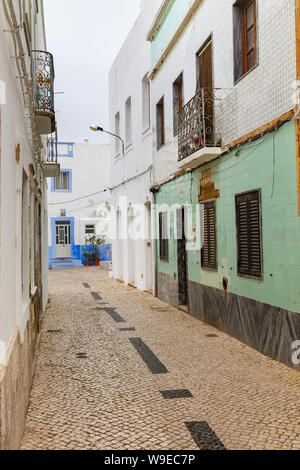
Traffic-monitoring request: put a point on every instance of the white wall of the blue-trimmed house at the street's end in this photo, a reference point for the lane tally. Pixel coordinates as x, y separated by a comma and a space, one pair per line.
90, 190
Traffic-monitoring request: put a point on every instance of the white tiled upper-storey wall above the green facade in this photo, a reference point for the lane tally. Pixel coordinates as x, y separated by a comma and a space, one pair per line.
262, 95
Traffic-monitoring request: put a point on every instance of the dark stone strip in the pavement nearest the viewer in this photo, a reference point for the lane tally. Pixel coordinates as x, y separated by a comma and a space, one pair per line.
204, 436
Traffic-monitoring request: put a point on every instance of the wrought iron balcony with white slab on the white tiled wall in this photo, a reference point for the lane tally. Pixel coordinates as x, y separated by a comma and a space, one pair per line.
197, 142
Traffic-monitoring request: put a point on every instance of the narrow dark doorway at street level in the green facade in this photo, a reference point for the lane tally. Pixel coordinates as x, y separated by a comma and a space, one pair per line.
182, 258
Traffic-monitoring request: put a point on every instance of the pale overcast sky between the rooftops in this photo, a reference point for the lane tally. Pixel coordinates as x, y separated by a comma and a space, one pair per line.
85, 37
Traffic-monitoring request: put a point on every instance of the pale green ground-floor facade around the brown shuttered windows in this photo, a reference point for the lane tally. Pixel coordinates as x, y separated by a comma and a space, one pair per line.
268, 164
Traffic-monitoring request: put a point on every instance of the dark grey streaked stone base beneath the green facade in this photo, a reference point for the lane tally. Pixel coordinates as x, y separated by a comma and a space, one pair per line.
268, 329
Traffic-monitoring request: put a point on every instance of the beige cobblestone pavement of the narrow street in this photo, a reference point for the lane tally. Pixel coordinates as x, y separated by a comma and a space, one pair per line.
93, 390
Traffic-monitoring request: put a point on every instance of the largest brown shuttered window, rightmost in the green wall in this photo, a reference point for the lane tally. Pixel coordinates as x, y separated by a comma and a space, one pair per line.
249, 237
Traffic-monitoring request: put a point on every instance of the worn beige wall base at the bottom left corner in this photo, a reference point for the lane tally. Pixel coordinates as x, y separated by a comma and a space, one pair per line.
15, 384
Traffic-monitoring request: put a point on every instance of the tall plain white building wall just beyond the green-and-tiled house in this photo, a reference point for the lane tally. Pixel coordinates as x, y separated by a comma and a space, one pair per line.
131, 174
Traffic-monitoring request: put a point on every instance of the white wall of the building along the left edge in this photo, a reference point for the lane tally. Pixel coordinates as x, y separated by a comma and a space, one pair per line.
14, 313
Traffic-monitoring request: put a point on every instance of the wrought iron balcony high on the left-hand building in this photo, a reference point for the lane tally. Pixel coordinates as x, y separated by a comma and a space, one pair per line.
43, 90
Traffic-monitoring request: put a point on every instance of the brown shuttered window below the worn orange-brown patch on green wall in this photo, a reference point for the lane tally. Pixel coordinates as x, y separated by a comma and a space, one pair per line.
209, 238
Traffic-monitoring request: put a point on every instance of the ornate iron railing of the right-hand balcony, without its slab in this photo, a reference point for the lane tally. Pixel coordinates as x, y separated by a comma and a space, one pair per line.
196, 123
